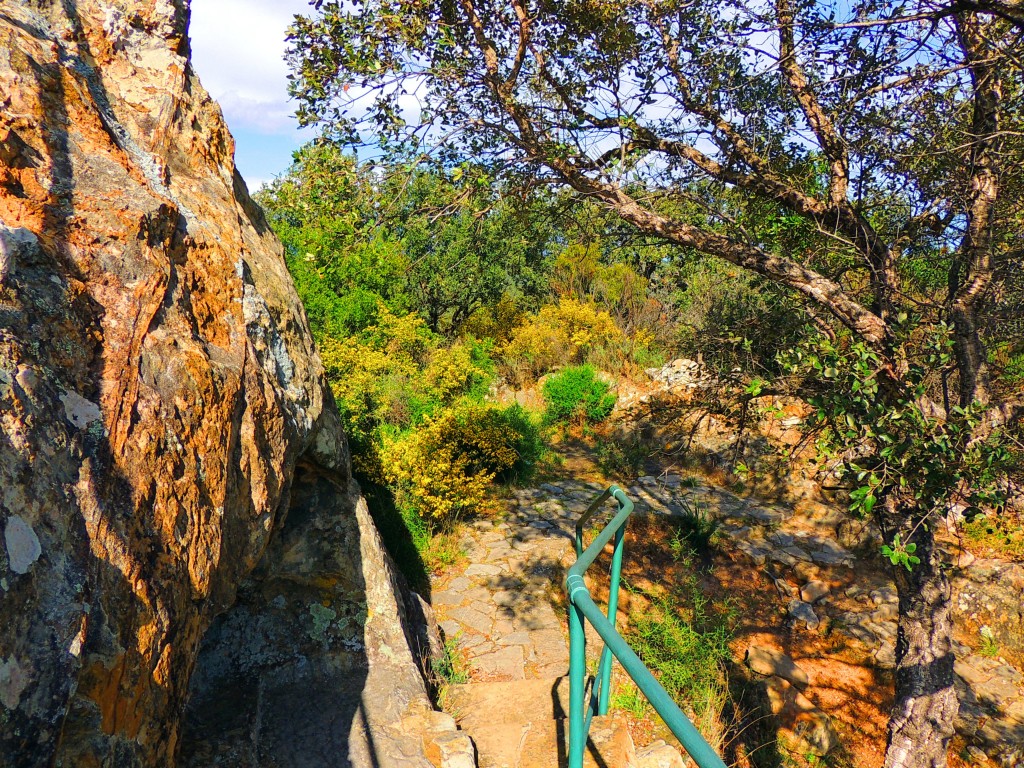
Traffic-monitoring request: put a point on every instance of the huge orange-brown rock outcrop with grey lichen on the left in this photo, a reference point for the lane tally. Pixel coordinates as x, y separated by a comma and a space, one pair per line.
166, 435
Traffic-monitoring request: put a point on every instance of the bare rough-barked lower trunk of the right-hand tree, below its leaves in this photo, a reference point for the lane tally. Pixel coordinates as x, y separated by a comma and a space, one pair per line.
926, 707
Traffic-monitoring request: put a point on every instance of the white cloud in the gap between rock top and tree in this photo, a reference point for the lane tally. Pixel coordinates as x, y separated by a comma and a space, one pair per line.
239, 51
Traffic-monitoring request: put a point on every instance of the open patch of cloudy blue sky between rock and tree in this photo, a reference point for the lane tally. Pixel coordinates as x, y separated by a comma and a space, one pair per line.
238, 51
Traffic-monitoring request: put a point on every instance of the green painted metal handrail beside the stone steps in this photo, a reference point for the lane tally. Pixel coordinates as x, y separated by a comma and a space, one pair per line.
583, 607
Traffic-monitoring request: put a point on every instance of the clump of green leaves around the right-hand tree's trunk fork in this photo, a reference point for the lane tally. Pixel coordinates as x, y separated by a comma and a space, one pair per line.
904, 461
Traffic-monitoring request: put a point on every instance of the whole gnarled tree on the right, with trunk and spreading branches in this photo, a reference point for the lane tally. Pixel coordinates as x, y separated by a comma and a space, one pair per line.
866, 157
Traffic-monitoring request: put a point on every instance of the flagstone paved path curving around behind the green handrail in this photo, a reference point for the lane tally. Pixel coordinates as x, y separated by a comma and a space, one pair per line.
501, 606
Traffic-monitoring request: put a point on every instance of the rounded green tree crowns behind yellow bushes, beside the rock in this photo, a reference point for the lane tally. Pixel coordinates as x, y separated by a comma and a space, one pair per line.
359, 237
